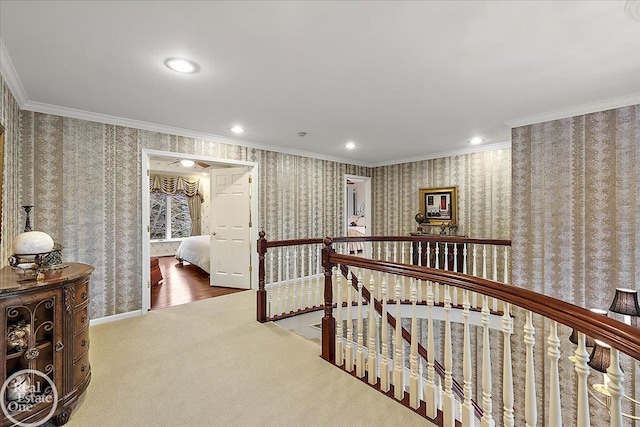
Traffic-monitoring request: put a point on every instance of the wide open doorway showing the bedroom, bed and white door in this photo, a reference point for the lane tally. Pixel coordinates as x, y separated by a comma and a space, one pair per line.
183, 233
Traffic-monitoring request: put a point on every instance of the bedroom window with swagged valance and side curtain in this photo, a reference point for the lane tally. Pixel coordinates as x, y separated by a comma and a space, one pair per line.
175, 207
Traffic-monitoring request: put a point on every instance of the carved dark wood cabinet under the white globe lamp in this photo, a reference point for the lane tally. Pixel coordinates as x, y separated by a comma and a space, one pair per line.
46, 335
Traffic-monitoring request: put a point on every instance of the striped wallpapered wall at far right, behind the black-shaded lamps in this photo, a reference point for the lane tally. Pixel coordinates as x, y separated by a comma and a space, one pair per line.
576, 219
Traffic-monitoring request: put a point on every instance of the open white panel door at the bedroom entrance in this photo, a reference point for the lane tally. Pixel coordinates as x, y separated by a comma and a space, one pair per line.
230, 231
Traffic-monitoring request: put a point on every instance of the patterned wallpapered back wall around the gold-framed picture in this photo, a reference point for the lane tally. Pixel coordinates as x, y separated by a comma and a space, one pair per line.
484, 193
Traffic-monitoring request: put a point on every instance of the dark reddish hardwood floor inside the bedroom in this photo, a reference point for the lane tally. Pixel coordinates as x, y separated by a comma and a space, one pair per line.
183, 284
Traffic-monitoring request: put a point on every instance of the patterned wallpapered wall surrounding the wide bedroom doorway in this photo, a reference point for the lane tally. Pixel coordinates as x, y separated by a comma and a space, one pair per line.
84, 180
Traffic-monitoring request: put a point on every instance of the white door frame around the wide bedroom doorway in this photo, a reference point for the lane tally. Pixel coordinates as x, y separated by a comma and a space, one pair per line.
145, 283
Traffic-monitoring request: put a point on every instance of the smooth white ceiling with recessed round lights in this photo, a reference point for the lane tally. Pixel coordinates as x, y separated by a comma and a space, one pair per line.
403, 80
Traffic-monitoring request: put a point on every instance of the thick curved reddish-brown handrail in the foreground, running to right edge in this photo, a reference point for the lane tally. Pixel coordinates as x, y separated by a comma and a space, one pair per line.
617, 334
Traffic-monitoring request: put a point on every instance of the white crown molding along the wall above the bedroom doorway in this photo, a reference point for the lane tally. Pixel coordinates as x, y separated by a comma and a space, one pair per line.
39, 107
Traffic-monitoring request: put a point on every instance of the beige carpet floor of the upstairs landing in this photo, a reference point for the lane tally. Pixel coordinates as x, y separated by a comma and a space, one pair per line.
209, 363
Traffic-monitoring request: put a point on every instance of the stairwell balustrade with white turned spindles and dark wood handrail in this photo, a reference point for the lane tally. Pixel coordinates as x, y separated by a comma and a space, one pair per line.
455, 336
